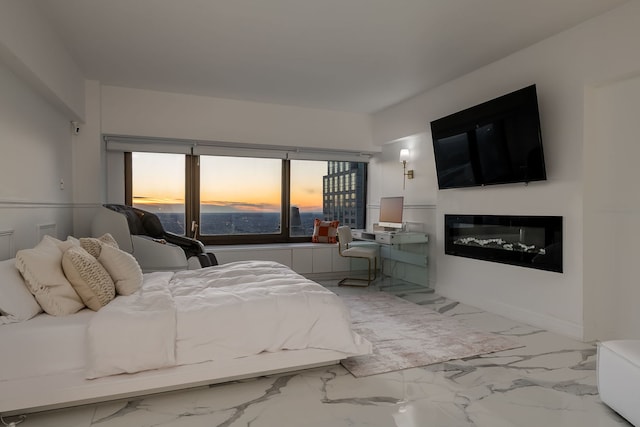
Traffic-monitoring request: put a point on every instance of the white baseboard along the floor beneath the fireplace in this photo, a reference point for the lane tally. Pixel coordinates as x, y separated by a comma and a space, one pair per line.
549, 323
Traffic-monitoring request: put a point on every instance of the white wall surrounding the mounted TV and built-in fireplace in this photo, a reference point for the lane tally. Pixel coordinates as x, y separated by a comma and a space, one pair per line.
563, 67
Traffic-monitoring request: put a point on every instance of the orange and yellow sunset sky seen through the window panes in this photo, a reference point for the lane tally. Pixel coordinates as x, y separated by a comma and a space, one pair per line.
227, 183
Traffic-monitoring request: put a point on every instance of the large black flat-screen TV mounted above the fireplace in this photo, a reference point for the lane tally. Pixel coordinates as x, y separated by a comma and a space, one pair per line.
496, 142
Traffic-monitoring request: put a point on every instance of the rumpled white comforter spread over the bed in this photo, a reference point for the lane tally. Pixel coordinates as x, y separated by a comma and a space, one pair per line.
223, 312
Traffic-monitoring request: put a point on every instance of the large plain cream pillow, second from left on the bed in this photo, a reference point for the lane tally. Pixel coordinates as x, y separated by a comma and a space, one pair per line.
41, 268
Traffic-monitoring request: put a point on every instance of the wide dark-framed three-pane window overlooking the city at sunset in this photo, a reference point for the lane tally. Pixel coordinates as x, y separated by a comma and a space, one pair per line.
226, 199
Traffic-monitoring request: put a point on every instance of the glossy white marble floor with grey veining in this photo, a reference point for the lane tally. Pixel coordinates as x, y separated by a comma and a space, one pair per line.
550, 381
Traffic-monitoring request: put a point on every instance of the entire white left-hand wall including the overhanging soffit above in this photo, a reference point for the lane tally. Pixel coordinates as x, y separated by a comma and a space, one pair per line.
42, 91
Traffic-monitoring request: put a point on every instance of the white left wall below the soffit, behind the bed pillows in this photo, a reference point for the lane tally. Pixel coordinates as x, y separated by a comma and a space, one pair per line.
36, 154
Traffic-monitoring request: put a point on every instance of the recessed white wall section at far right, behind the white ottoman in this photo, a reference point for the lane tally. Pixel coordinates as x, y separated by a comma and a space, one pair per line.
612, 210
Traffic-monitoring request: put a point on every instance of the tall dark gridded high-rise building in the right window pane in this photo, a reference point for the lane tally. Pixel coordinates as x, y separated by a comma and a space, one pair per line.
344, 193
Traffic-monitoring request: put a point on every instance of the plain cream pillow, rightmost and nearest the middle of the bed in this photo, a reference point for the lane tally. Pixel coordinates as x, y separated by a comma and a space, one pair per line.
123, 269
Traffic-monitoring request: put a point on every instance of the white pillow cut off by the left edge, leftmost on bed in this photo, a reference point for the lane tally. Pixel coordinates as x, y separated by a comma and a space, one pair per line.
16, 302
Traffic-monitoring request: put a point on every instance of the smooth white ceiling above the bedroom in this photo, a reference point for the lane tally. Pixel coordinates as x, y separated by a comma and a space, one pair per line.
346, 55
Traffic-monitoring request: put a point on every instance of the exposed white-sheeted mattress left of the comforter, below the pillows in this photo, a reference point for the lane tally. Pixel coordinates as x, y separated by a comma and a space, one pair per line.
44, 345
